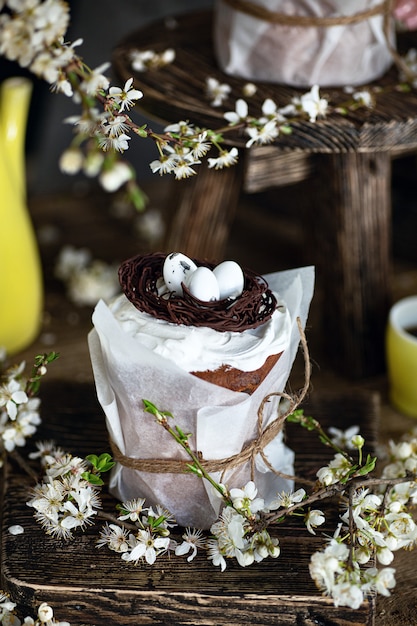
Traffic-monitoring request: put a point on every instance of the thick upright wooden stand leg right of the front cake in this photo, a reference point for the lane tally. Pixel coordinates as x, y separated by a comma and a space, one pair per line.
353, 242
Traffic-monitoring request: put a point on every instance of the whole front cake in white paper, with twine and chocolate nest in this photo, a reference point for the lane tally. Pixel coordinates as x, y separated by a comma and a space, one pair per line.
139, 353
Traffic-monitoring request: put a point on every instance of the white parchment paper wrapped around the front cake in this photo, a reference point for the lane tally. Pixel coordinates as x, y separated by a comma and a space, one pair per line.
221, 421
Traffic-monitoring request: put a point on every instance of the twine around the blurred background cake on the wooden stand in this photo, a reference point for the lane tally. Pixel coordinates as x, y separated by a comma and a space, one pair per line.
384, 8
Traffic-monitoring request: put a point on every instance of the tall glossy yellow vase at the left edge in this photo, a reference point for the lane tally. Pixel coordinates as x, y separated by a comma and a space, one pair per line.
21, 287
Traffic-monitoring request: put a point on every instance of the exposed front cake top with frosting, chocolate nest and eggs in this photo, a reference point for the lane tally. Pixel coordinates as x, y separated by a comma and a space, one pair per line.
219, 323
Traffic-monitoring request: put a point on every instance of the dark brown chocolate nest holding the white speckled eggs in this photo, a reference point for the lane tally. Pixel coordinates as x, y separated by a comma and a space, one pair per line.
139, 276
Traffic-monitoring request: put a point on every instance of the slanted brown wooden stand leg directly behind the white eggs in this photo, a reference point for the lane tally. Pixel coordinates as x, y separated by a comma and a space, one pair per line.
205, 207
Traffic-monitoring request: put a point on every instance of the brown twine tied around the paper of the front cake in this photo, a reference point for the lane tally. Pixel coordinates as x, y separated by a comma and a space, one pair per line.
249, 453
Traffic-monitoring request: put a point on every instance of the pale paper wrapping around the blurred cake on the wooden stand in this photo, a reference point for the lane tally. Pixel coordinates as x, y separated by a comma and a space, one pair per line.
302, 56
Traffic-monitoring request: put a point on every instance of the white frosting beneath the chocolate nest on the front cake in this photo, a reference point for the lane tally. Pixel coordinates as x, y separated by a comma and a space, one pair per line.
197, 349
